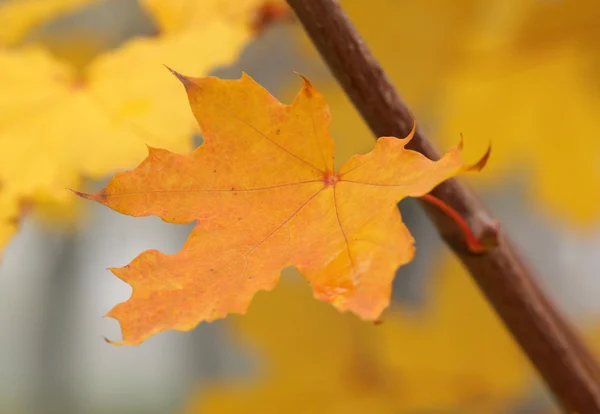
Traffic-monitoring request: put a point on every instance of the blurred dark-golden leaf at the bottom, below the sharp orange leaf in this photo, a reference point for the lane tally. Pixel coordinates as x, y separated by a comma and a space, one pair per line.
453, 356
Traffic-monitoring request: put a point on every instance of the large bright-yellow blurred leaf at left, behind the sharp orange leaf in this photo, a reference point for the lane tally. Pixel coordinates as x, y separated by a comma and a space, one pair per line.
57, 125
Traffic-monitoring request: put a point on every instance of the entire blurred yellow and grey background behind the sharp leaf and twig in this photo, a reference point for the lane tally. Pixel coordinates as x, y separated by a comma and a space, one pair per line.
84, 89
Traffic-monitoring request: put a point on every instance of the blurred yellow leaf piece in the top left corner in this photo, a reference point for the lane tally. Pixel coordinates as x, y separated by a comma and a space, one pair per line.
18, 17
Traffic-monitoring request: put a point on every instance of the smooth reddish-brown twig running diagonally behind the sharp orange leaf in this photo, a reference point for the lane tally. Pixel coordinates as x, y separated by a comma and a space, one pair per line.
545, 336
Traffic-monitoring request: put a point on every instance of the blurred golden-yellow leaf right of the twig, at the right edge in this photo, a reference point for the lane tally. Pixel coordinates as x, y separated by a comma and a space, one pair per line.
549, 133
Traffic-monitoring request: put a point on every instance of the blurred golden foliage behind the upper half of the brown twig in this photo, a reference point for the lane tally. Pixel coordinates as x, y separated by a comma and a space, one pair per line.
520, 74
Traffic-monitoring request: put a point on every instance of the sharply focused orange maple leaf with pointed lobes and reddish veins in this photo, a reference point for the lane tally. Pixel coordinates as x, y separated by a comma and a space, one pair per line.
264, 193
